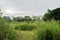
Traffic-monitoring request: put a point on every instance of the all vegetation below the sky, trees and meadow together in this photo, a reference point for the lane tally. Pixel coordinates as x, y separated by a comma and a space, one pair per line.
27, 28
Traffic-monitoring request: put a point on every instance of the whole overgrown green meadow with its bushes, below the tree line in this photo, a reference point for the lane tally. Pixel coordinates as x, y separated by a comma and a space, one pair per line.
36, 30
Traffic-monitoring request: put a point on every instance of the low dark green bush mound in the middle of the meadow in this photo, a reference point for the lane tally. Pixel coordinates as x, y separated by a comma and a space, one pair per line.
25, 27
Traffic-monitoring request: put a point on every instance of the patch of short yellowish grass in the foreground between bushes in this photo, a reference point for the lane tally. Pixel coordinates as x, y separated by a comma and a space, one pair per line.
25, 35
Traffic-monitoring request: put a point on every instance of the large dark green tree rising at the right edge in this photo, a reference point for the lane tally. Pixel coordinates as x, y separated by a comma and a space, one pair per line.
52, 14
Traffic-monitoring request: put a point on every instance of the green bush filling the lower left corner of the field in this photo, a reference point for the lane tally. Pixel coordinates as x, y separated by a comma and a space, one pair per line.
6, 33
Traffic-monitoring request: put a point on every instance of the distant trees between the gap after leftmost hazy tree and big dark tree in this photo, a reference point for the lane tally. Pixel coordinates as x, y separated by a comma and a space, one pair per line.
26, 18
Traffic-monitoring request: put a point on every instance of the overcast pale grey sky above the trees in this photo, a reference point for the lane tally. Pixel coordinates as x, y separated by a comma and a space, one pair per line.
27, 7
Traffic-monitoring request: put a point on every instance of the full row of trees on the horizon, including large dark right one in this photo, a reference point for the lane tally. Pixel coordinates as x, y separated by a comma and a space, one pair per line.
49, 15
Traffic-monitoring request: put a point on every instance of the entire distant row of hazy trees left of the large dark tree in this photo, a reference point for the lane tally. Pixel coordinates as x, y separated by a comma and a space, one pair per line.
21, 19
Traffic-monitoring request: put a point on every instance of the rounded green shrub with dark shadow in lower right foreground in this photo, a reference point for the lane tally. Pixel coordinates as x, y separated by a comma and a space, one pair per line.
44, 34
